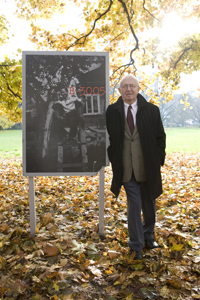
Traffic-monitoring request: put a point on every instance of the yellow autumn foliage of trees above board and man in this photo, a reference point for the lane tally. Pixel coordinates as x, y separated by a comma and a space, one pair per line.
124, 28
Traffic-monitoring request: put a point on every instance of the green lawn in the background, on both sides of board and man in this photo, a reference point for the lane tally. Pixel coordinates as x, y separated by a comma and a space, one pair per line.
178, 140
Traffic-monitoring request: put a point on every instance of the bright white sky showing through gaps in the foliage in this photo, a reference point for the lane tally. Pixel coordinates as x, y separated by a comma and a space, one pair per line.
173, 27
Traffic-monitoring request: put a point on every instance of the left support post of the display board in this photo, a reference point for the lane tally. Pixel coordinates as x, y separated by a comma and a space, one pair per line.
32, 205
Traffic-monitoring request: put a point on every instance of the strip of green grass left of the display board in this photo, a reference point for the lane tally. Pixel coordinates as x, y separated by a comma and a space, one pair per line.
10, 143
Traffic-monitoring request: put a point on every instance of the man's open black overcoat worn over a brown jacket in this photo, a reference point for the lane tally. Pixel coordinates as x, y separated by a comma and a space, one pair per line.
152, 138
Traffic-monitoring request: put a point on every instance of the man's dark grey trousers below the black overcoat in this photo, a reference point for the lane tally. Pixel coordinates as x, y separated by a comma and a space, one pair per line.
138, 201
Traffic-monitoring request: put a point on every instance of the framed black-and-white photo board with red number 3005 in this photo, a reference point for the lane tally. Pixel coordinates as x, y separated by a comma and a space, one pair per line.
65, 95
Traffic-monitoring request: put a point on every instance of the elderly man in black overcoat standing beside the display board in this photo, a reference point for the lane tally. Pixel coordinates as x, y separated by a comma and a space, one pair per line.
136, 153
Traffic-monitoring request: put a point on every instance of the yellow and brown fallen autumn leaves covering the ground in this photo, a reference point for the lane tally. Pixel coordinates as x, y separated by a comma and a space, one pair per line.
68, 260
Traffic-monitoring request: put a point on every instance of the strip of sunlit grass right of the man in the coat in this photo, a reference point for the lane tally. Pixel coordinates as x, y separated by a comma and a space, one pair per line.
183, 139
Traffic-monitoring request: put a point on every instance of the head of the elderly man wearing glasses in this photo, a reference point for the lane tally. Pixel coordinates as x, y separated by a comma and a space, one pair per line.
129, 90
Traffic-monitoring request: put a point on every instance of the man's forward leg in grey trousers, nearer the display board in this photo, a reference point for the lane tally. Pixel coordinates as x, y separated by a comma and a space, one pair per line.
134, 203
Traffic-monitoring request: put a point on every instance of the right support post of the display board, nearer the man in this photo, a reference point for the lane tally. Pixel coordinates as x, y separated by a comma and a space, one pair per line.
101, 202
